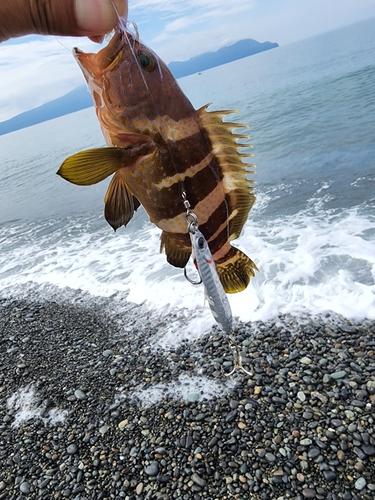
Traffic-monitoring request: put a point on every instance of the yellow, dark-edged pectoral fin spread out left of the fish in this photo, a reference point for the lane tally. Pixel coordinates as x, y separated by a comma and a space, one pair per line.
94, 165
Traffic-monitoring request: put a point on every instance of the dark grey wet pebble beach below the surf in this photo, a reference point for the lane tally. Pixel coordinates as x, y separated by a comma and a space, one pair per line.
76, 422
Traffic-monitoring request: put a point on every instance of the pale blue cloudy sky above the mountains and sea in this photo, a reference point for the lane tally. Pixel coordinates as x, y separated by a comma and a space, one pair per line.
35, 70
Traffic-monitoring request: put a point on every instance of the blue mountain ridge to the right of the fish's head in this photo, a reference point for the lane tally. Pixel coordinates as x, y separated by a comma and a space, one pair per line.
243, 48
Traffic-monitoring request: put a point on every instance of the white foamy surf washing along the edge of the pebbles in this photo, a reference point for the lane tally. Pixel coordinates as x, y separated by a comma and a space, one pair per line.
310, 262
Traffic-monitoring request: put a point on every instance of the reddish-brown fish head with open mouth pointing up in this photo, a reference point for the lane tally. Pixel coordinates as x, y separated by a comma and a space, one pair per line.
131, 86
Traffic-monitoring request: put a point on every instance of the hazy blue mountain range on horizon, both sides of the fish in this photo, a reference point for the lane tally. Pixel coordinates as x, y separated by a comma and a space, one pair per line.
80, 98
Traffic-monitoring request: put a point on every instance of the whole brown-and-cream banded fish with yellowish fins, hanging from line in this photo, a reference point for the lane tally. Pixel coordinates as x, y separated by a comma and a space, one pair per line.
159, 147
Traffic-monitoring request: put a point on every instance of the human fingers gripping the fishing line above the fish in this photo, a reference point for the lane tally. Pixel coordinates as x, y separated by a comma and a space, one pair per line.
92, 18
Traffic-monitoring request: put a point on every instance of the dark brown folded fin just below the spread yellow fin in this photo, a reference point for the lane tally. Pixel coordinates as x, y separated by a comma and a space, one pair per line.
120, 204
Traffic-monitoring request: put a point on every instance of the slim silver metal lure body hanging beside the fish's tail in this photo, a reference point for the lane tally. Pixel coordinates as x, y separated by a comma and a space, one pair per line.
217, 298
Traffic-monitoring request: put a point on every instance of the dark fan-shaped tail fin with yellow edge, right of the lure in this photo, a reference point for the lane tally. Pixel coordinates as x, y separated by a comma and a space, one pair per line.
235, 270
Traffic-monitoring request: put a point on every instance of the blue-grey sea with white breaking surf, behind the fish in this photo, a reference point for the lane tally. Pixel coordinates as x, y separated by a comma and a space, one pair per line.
311, 110
